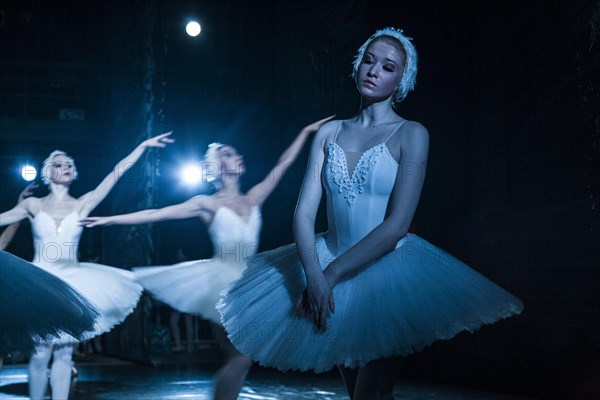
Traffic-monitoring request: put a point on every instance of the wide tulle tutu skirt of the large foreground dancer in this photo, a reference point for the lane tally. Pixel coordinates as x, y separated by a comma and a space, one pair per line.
399, 304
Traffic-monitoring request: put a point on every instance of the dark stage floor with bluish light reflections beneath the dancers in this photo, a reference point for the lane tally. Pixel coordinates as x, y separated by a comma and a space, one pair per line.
111, 379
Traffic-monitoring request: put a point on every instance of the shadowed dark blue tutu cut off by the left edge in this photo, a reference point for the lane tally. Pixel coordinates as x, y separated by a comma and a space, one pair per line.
36, 306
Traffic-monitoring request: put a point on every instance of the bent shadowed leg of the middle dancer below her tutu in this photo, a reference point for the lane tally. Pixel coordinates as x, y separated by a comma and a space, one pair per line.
230, 378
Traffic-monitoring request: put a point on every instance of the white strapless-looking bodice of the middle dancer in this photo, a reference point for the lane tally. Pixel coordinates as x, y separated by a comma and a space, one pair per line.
235, 239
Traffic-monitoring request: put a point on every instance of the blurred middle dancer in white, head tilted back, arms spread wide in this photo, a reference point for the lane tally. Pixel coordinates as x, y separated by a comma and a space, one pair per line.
233, 219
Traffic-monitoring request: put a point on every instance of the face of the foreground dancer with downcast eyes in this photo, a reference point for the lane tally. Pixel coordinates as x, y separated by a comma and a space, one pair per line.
380, 70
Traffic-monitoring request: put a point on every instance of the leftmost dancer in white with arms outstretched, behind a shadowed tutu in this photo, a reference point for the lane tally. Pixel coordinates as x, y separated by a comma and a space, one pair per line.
55, 227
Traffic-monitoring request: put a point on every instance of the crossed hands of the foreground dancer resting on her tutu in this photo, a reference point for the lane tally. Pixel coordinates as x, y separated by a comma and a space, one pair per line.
316, 300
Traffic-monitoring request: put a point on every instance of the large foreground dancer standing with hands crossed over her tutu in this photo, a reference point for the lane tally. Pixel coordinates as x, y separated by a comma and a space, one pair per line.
365, 292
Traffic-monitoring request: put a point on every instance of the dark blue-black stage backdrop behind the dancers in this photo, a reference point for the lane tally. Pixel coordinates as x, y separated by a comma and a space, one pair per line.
509, 90
